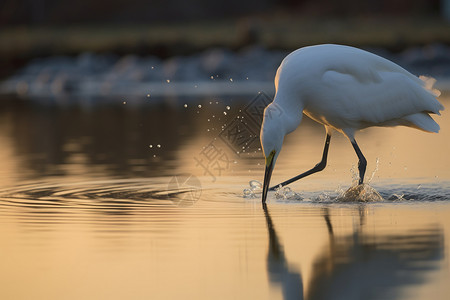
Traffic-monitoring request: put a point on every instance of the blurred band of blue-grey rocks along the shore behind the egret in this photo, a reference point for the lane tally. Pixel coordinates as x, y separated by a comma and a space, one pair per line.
212, 72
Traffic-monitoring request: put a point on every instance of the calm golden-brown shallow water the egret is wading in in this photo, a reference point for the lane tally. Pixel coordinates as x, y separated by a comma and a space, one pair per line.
147, 202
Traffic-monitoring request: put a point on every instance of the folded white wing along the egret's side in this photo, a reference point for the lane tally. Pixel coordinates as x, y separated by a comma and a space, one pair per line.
381, 93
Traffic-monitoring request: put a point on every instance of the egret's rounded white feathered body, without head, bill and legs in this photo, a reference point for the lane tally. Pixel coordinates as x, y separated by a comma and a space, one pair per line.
349, 89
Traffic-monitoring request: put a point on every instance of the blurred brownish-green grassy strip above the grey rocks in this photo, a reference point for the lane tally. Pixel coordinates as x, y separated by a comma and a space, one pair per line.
19, 44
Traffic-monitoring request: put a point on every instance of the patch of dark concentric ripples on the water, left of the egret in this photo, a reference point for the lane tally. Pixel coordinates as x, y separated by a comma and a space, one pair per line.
113, 196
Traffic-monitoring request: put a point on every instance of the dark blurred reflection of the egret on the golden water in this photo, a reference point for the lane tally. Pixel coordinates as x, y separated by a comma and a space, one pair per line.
359, 265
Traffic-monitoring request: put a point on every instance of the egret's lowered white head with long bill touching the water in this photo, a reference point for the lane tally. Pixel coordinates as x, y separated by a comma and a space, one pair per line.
272, 135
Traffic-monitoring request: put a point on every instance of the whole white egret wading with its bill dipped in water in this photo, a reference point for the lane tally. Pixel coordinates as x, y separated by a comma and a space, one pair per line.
345, 89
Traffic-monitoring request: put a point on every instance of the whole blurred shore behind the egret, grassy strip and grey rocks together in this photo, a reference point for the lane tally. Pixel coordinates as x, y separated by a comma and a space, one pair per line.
216, 57
